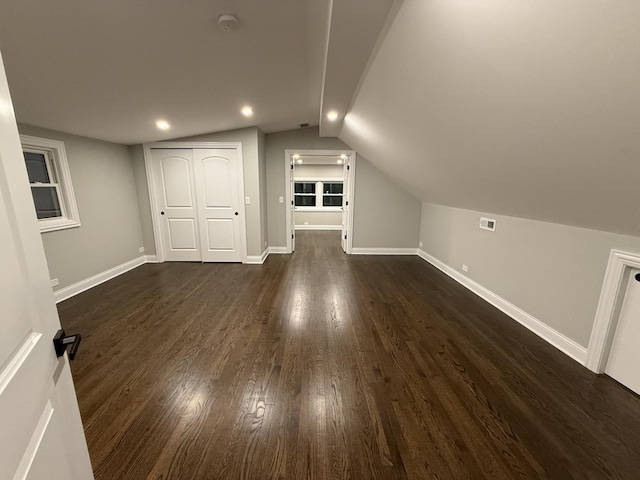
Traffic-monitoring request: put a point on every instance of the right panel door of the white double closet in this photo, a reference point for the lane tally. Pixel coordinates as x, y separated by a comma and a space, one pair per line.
219, 212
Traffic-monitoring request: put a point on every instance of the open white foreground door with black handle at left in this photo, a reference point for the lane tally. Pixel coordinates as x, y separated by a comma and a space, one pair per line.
41, 433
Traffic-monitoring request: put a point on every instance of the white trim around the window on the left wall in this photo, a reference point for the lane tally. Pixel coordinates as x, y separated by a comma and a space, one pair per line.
57, 154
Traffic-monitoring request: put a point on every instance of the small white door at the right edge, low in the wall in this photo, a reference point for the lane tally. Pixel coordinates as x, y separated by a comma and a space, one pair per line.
624, 360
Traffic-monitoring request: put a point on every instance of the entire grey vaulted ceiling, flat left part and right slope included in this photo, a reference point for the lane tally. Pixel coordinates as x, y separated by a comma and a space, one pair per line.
528, 108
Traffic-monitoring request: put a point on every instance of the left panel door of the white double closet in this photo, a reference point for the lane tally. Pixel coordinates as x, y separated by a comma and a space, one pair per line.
173, 172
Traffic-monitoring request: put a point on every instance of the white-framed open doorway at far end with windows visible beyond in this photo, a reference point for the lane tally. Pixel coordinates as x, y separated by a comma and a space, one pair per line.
320, 193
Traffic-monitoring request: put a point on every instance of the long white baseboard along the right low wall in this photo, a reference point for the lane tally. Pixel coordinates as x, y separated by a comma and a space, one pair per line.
555, 338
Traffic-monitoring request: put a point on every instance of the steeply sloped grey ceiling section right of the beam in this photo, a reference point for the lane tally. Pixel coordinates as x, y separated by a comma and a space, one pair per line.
526, 108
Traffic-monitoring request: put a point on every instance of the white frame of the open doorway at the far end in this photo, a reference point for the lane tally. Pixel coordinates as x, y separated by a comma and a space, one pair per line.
350, 193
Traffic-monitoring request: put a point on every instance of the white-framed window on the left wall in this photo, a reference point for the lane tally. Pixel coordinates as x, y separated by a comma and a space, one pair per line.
50, 181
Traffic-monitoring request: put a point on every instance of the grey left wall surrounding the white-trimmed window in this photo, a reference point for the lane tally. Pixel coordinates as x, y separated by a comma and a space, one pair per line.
103, 180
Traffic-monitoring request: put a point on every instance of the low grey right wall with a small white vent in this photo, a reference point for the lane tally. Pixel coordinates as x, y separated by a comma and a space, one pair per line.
553, 272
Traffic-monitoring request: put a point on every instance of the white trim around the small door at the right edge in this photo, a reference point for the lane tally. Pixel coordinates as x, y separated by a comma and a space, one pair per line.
611, 297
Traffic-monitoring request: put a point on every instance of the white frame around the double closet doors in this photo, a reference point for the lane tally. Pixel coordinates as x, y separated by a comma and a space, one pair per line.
153, 194
